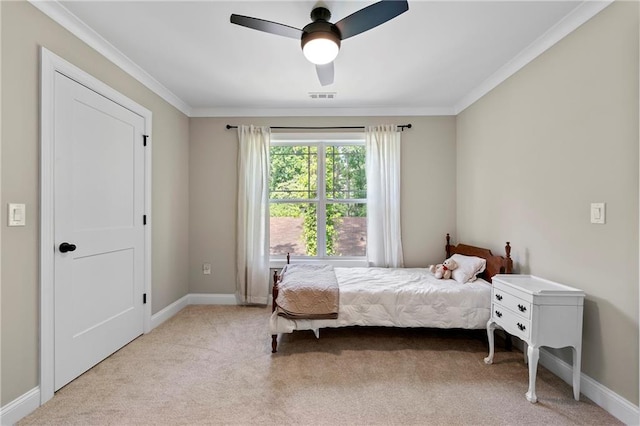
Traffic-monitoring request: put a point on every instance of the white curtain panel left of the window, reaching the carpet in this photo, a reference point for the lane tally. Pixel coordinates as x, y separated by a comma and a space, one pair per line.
252, 283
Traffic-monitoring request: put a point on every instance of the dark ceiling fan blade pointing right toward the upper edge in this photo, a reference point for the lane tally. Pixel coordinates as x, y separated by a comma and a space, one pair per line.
370, 17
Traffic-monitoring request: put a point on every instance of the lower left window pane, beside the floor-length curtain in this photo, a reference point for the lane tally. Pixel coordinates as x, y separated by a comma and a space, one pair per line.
293, 229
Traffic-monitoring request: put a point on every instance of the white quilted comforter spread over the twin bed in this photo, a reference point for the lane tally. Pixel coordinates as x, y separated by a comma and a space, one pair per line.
406, 297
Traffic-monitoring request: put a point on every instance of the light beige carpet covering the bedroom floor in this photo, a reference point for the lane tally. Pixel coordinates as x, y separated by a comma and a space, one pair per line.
213, 365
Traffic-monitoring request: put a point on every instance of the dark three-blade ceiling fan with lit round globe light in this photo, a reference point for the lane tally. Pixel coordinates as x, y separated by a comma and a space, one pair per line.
321, 39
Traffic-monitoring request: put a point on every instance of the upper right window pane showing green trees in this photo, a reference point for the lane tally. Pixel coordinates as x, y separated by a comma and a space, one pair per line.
345, 172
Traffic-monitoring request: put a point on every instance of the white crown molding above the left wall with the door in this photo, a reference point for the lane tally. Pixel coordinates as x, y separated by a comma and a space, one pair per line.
56, 11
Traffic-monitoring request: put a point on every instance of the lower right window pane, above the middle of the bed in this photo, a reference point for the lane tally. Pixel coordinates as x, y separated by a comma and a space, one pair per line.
346, 229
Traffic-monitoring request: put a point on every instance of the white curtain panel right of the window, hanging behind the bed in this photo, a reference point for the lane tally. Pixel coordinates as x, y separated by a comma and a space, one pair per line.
384, 243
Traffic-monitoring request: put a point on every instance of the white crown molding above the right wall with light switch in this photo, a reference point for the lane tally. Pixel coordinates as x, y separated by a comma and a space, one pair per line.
581, 14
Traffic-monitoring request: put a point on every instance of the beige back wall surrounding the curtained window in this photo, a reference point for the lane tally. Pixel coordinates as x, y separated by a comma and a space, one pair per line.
428, 190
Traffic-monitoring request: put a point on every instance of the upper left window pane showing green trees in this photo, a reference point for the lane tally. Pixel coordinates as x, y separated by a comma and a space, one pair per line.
294, 172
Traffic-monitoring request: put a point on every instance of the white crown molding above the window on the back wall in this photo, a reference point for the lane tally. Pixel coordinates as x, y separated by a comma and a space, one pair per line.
320, 112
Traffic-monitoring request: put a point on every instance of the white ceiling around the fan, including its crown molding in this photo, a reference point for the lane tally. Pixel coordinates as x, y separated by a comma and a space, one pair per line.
437, 58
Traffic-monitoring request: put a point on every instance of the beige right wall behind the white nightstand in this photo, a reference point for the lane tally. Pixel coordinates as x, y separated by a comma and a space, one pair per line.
536, 151
